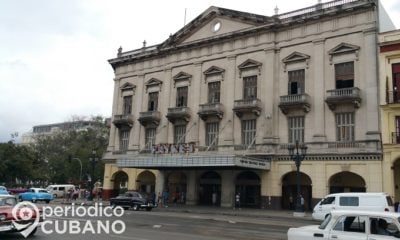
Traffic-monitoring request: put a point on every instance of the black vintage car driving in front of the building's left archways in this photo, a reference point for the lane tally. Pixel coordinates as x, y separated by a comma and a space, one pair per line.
134, 200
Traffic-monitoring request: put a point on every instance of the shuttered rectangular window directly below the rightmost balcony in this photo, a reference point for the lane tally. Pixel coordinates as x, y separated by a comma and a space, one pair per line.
345, 127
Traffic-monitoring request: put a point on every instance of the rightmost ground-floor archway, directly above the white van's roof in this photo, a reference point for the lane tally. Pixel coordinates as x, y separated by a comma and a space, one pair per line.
346, 182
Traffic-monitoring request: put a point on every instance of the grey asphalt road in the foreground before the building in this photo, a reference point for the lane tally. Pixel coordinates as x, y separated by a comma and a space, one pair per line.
163, 225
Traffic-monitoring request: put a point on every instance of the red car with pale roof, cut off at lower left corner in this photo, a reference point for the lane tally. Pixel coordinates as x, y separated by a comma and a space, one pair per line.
7, 203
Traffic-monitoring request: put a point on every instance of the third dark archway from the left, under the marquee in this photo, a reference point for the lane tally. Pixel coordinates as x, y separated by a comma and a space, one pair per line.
177, 187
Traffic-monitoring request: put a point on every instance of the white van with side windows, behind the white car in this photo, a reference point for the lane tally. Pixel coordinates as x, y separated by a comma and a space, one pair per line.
353, 201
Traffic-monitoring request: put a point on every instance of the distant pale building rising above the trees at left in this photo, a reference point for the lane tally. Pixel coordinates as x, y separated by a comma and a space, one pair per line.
48, 129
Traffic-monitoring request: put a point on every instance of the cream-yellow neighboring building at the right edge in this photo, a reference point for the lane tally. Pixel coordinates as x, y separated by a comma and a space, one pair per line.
389, 74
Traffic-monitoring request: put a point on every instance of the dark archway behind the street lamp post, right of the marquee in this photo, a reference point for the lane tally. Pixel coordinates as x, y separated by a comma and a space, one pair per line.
289, 191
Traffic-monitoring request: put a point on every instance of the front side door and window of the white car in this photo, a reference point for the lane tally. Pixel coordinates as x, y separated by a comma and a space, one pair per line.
349, 227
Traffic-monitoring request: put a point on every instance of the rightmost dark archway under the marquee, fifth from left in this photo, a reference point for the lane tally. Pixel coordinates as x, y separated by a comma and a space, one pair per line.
248, 184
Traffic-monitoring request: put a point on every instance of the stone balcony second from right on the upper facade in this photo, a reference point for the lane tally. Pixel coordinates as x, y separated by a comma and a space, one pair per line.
294, 102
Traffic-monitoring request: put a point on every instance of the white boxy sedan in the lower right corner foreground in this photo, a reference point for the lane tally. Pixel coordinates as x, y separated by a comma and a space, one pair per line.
351, 225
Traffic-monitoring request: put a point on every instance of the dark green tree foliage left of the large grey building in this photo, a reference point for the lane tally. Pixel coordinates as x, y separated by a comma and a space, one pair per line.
56, 157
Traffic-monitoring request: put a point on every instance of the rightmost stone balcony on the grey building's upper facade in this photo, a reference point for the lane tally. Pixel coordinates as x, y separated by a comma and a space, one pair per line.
343, 96
